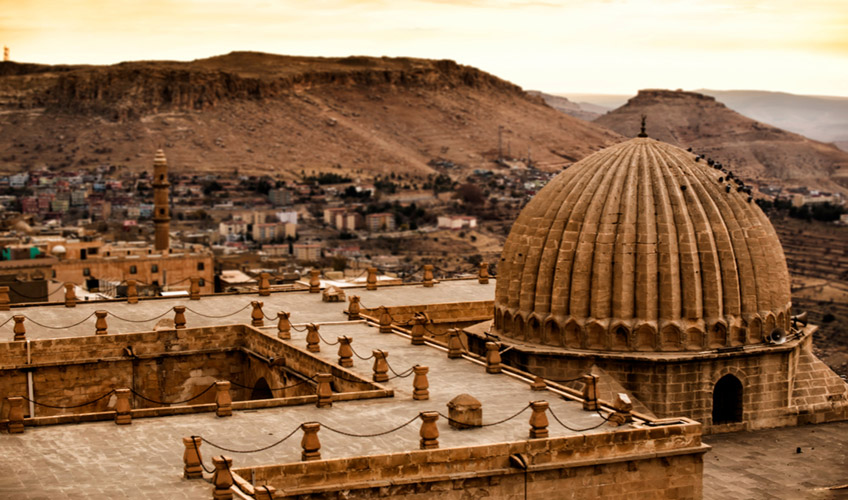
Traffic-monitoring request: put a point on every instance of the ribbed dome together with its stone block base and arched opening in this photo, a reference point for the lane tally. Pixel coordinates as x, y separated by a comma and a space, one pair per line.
656, 271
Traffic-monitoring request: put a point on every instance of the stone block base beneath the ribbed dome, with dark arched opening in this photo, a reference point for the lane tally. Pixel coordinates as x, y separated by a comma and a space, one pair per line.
683, 385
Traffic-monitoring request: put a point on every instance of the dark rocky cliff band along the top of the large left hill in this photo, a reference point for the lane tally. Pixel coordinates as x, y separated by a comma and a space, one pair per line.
131, 90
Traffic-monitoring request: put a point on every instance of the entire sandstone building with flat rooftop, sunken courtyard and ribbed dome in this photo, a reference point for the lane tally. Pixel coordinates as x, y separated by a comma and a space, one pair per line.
642, 300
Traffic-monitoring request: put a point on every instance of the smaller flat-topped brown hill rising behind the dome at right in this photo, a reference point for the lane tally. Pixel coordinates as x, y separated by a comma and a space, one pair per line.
752, 150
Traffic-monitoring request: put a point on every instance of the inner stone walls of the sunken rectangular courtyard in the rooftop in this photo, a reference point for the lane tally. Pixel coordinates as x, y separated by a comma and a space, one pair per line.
166, 367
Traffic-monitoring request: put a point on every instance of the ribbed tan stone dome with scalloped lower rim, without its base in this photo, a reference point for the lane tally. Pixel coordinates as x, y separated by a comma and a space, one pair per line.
640, 247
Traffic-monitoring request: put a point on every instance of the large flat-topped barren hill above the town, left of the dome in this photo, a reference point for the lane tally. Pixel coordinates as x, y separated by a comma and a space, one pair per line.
262, 113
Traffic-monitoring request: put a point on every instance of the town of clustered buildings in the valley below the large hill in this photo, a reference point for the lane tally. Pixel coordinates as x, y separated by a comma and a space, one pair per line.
247, 225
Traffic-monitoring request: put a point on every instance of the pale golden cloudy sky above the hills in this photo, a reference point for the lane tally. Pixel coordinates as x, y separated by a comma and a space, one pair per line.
604, 46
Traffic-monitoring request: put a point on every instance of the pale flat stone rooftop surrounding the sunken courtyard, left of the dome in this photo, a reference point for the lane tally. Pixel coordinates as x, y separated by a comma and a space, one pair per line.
145, 459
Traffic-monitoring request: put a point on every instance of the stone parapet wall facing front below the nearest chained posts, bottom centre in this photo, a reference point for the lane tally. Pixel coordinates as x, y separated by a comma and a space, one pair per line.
591, 466
